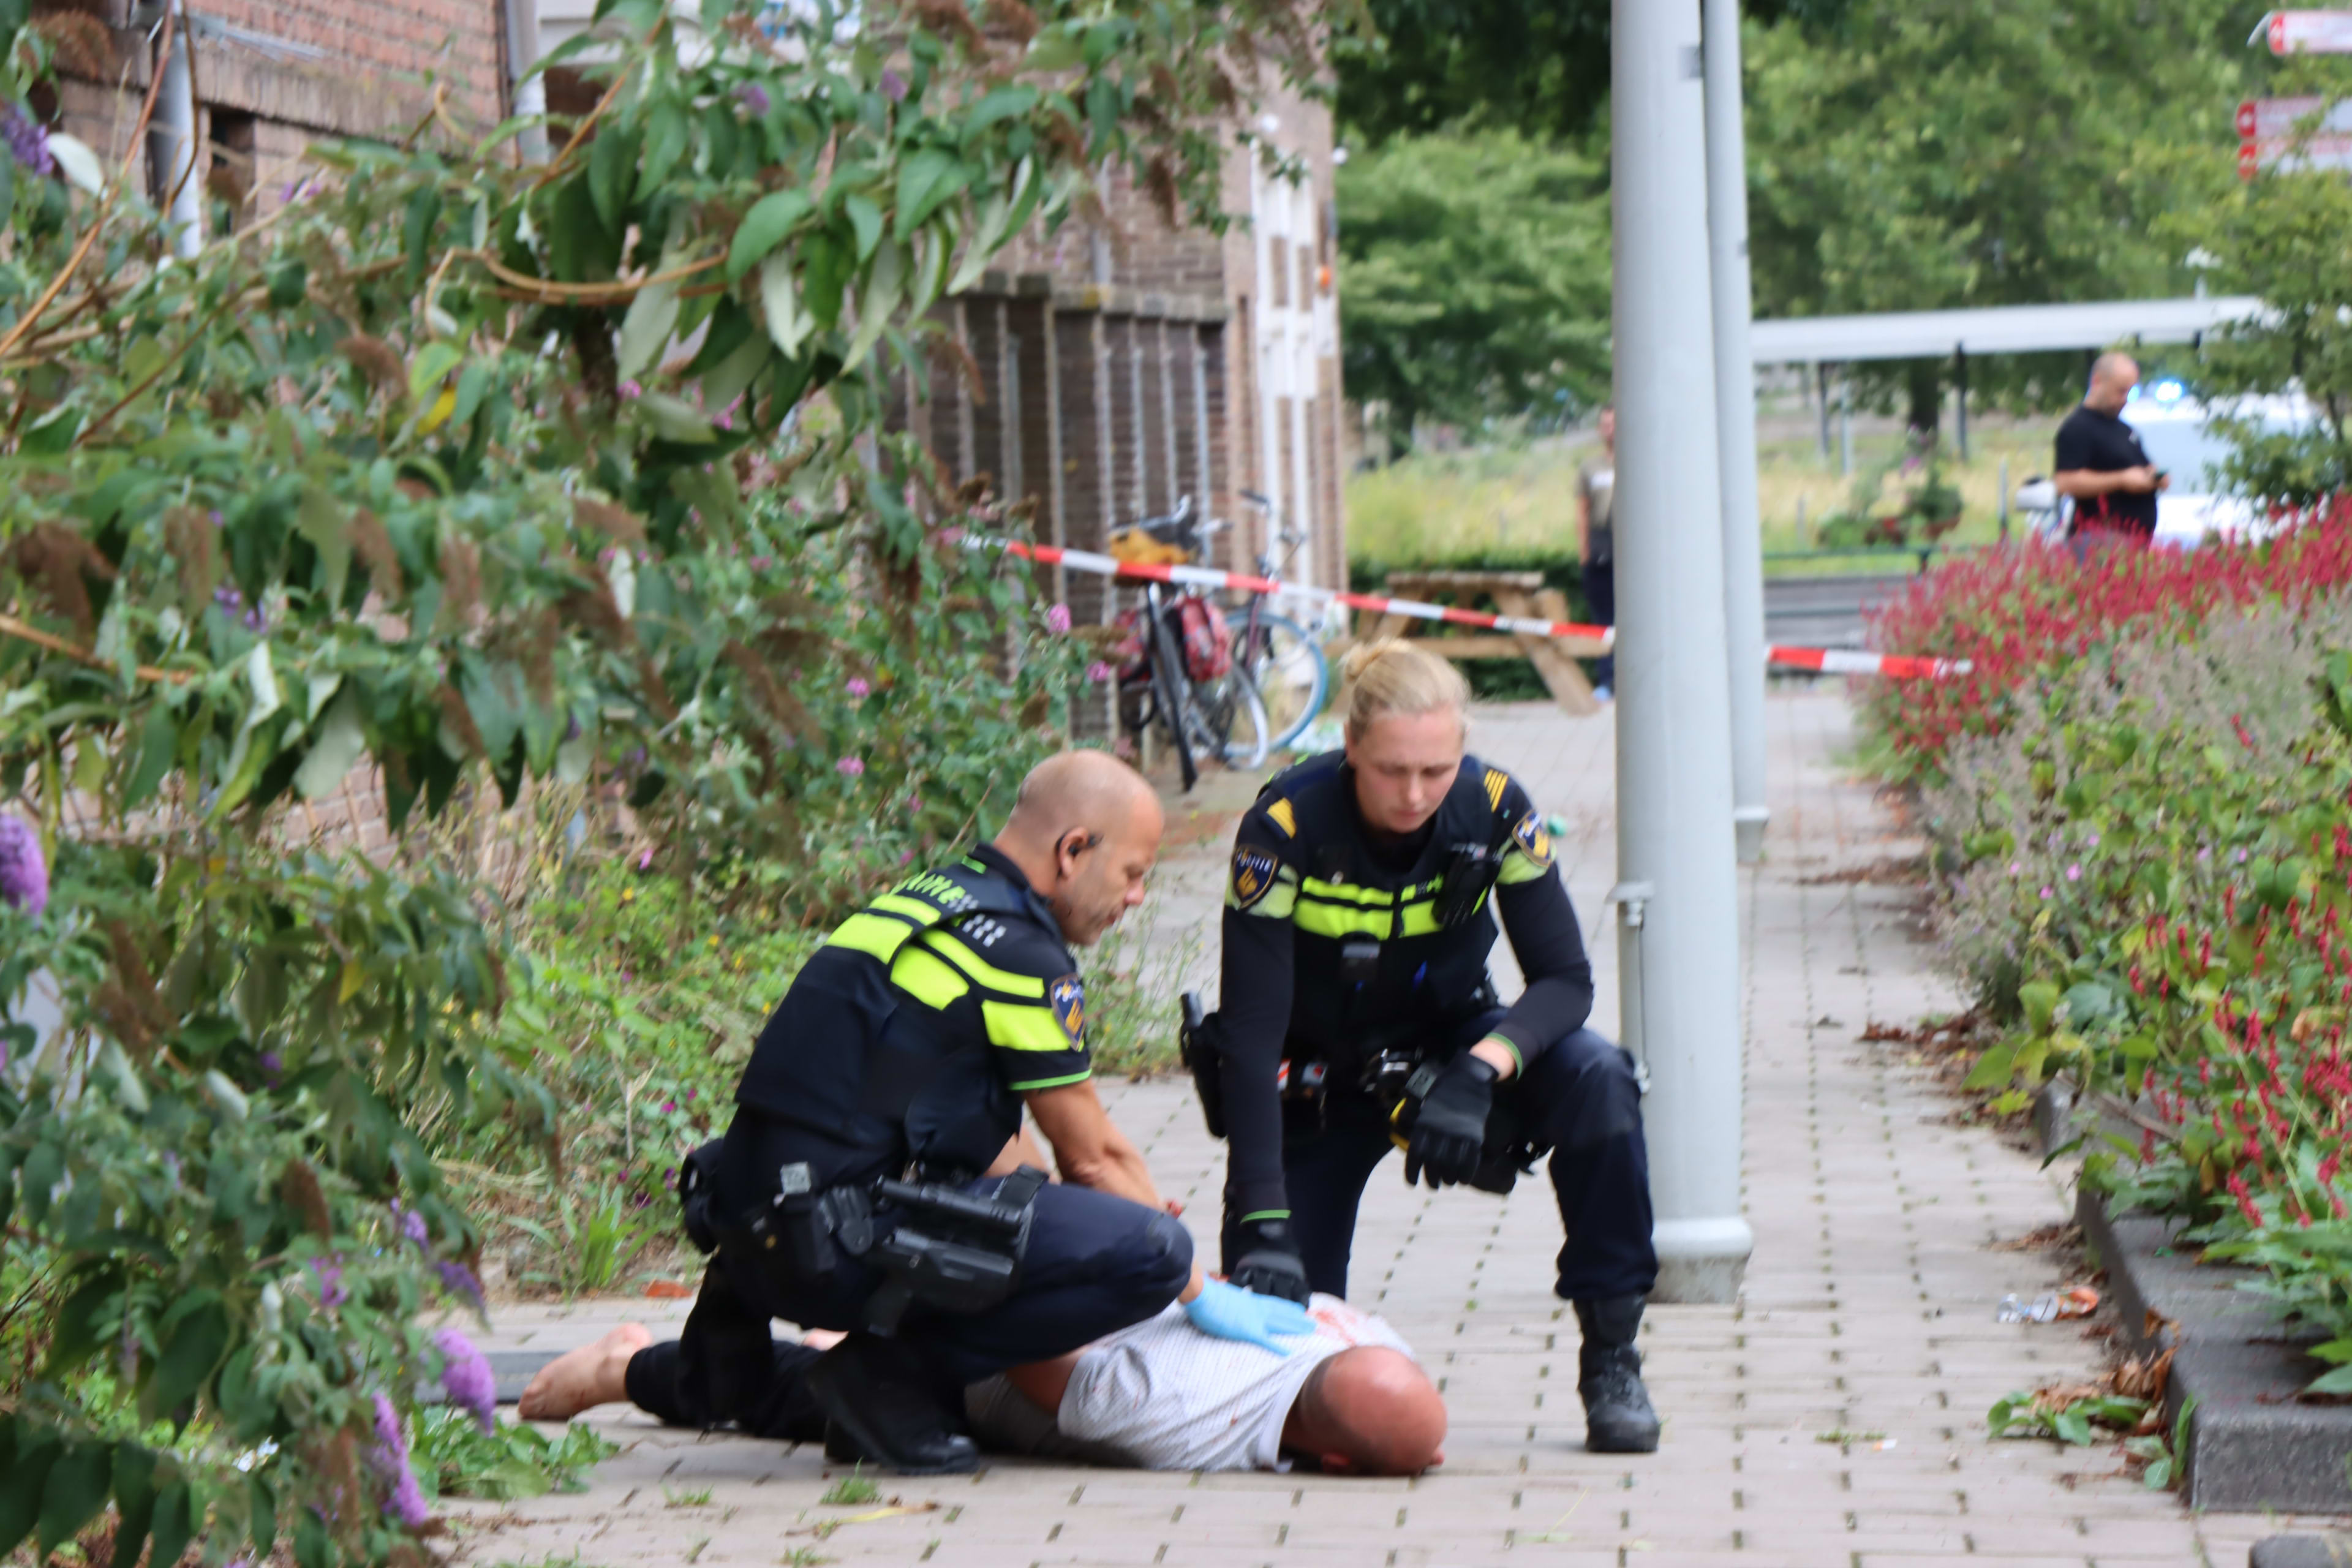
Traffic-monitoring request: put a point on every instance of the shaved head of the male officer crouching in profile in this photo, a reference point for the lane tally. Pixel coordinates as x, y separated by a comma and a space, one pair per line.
1085, 833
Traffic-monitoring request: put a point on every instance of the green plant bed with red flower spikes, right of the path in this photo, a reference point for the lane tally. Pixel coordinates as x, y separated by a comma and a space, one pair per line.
2149, 878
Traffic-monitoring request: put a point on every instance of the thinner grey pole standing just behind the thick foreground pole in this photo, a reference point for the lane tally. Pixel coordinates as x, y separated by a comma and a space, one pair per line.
1737, 424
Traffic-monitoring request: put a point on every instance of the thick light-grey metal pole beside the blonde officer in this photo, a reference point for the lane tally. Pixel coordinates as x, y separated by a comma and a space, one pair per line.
1673, 716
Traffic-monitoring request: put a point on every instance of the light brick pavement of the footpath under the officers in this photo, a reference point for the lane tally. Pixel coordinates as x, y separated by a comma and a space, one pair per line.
1836, 1416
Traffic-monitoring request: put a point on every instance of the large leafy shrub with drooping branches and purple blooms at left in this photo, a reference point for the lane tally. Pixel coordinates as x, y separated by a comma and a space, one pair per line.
490, 476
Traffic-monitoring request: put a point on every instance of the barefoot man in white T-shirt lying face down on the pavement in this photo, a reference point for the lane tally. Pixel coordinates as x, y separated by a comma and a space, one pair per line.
1161, 1395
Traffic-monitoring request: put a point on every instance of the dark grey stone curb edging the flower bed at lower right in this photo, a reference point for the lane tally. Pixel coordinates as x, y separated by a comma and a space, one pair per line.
2250, 1445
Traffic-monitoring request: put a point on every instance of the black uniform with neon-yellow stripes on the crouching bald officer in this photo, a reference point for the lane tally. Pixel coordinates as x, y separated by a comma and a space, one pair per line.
902, 1052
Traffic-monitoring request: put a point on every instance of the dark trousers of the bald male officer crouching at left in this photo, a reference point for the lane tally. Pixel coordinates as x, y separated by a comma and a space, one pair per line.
1095, 1266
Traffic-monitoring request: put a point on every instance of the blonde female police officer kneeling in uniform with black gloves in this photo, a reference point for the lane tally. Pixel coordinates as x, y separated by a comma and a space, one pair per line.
1356, 1005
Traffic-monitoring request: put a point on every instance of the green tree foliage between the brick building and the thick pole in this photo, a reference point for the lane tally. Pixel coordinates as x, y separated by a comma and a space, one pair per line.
1478, 276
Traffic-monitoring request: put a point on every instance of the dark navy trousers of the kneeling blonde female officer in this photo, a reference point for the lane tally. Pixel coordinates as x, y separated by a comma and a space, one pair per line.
1579, 1099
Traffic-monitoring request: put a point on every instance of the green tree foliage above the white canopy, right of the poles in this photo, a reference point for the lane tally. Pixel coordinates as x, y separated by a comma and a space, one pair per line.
1984, 154
